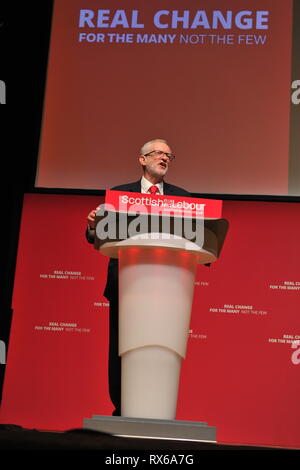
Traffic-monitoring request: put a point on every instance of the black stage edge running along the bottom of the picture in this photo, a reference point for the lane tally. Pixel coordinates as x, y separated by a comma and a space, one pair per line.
17, 438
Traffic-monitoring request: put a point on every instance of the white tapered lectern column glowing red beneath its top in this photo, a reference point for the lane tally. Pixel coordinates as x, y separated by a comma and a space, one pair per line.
156, 286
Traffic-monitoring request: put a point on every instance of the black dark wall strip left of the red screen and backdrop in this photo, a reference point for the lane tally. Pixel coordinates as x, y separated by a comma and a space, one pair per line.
24, 40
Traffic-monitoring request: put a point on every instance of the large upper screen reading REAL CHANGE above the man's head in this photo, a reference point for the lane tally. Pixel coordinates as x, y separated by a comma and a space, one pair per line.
223, 105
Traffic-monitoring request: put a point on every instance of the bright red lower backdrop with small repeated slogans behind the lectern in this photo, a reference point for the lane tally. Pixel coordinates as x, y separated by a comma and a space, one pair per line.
241, 373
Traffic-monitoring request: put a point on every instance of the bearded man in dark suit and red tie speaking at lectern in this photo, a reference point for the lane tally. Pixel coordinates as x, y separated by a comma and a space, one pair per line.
155, 158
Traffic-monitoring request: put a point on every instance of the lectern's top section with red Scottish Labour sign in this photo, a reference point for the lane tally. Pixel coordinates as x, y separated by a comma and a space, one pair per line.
143, 220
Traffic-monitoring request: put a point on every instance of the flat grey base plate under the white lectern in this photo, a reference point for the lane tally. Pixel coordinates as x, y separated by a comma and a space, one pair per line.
152, 428
